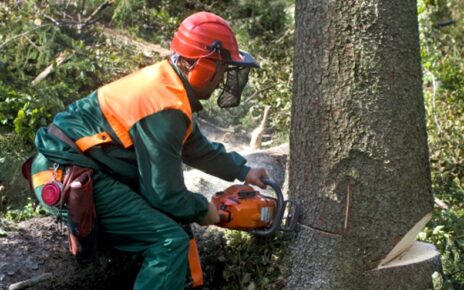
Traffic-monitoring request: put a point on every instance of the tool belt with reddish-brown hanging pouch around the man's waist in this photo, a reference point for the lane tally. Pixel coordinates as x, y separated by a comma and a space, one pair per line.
75, 188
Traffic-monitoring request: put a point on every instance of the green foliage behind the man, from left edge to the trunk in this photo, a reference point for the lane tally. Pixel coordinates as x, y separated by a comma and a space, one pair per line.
30, 41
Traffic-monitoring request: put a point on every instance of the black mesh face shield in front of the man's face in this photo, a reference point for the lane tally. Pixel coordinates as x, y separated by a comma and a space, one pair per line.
235, 81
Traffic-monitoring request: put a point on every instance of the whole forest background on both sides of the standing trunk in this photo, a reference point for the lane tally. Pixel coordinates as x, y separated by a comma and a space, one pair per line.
54, 52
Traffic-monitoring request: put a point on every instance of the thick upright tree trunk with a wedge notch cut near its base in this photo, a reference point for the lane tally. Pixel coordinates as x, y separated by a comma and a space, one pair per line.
358, 147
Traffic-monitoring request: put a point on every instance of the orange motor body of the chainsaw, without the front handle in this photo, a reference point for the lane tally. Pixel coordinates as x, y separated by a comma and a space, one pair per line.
241, 207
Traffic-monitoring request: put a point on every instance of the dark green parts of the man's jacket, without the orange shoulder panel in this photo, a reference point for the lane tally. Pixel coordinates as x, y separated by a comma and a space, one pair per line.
153, 164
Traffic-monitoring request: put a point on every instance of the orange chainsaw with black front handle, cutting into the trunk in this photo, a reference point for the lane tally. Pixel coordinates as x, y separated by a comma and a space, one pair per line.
241, 207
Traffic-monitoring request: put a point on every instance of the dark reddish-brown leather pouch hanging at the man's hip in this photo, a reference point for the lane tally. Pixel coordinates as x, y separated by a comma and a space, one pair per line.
77, 198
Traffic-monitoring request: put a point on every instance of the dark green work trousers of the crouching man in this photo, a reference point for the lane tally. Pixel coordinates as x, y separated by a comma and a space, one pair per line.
129, 224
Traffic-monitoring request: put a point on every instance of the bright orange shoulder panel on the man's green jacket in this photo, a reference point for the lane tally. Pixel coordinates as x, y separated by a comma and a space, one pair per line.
152, 89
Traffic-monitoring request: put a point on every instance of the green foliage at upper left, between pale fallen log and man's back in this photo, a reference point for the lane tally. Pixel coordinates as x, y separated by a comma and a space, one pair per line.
28, 45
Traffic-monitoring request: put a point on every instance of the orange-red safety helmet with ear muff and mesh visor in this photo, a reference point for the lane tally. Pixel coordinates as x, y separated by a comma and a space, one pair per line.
208, 38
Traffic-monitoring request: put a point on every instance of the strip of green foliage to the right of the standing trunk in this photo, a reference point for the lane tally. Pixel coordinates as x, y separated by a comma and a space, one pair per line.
442, 35
